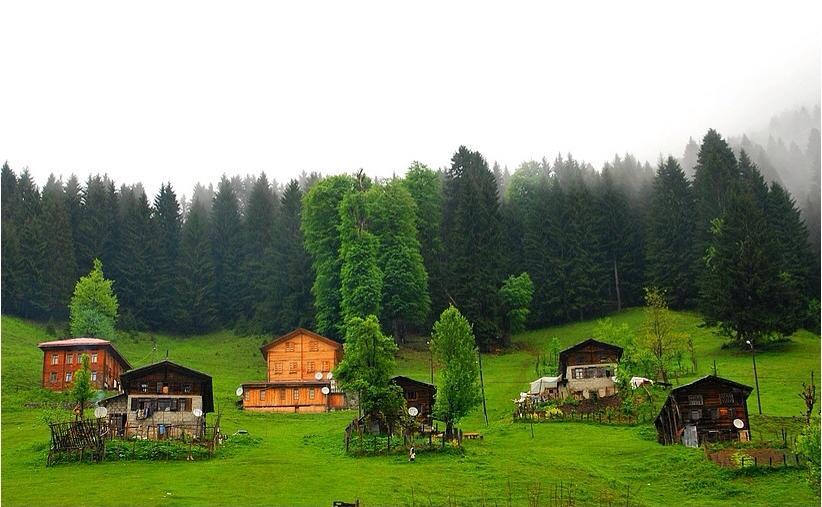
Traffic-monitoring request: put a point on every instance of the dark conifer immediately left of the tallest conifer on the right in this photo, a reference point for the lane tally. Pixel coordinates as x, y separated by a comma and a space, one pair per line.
670, 256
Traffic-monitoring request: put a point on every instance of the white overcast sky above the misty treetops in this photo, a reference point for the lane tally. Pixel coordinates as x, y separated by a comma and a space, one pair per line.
183, 92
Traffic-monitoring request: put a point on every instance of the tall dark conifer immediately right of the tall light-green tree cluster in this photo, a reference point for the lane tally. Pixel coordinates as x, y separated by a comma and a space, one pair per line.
471, 241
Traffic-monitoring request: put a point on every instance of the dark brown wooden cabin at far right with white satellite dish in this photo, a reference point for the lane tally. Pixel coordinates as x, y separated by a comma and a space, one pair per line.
704, 411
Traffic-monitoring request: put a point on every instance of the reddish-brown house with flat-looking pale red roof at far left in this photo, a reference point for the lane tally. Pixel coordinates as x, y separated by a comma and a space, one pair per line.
61, 361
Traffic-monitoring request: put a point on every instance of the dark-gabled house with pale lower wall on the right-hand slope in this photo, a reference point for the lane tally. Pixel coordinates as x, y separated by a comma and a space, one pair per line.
588, 369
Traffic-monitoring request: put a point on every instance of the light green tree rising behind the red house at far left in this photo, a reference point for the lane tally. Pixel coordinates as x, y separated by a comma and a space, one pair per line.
93, 307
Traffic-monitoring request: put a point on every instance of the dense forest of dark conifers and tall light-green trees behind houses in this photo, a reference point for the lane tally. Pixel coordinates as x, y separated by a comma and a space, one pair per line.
713, 230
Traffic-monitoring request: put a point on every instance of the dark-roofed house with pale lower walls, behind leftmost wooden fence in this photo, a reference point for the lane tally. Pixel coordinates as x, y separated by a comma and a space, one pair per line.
161, 399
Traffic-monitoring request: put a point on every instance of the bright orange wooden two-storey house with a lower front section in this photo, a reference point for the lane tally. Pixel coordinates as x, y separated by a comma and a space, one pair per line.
300, 379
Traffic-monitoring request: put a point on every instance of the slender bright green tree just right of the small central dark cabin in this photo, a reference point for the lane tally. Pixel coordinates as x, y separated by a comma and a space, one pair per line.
455, 350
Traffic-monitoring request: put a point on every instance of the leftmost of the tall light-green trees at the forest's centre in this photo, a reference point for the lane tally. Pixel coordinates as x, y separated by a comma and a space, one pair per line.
320, 225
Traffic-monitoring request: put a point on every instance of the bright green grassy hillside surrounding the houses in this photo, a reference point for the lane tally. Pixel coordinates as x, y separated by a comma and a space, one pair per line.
300, 458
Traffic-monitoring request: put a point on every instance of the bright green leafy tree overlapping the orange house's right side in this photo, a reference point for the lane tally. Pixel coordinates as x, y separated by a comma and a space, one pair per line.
367, 367
